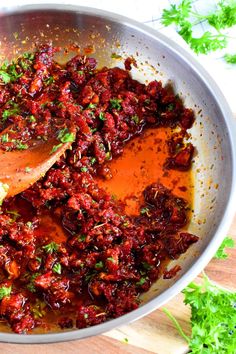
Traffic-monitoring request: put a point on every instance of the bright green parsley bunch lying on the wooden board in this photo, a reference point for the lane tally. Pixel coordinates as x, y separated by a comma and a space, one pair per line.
213, 318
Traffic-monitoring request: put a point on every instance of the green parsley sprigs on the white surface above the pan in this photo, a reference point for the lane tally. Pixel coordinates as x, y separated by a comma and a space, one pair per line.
185, 19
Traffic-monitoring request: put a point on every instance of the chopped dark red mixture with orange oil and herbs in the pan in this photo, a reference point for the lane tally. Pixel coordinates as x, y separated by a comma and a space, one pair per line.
80, 246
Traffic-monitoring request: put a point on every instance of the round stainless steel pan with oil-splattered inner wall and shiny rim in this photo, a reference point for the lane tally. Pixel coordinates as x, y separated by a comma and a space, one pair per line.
213, 133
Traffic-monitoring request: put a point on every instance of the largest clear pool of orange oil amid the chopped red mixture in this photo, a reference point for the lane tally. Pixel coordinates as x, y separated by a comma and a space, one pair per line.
140, 165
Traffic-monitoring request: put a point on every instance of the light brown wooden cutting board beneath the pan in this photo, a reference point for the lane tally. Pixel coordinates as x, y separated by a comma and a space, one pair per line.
154, 333
